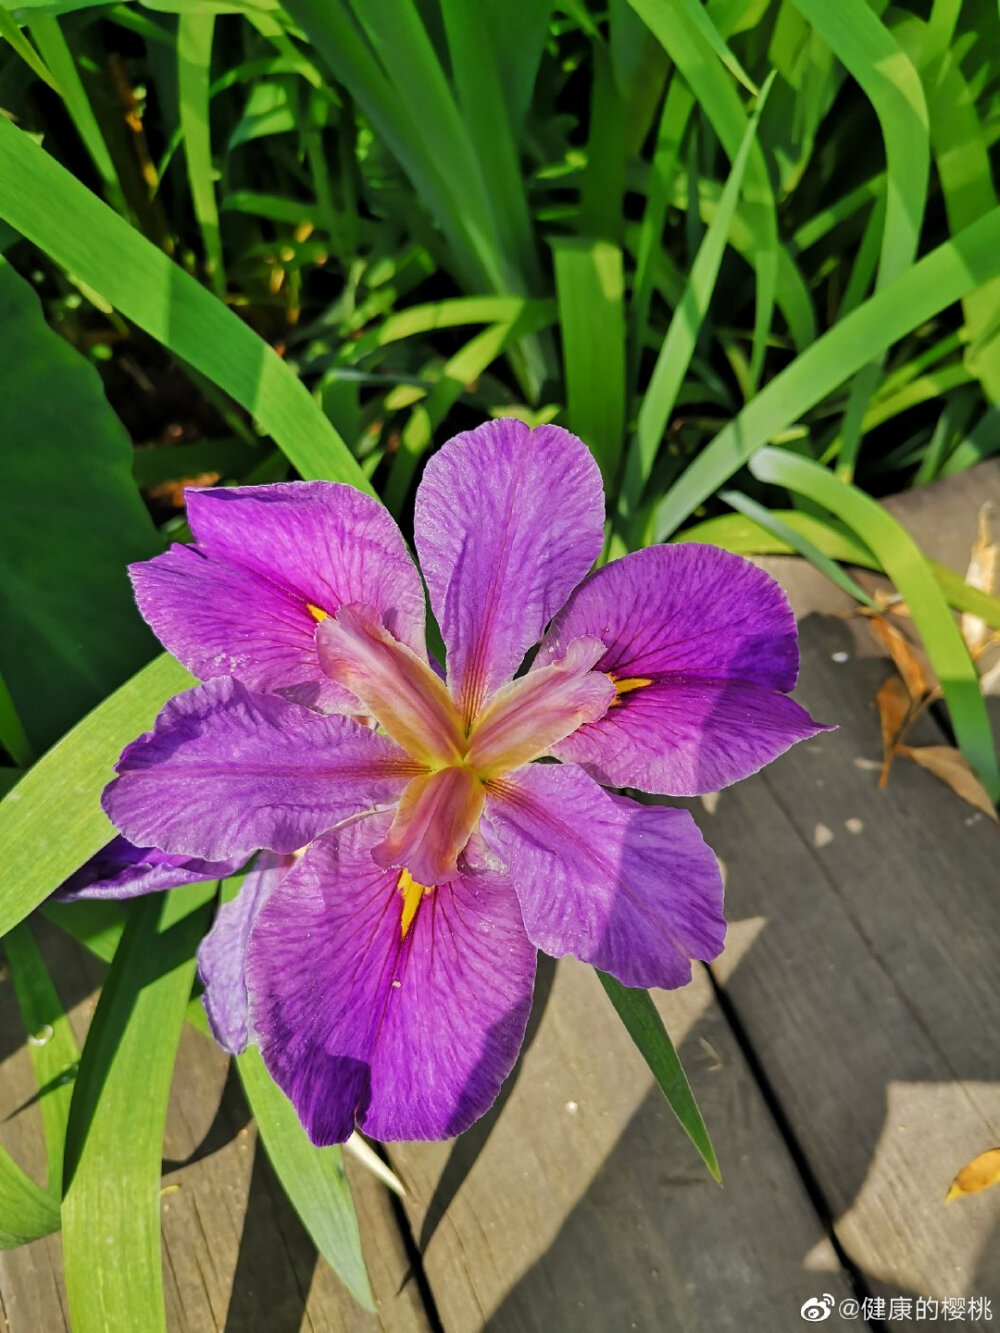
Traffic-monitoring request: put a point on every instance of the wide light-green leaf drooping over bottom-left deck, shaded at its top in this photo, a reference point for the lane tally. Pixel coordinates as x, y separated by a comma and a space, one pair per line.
111, 1211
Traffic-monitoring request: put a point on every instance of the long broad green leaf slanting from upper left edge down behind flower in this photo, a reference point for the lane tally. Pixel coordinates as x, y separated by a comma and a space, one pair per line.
99, 249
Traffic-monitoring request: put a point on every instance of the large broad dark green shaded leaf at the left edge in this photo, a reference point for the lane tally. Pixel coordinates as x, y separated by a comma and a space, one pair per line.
63, 583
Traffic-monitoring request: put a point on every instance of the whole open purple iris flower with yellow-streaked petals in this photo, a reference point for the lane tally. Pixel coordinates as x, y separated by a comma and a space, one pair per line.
387, 972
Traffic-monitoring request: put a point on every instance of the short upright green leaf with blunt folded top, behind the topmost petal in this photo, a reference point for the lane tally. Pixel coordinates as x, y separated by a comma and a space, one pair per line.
590, 286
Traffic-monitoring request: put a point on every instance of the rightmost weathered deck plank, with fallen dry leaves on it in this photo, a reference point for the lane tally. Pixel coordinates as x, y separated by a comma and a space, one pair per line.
871, 996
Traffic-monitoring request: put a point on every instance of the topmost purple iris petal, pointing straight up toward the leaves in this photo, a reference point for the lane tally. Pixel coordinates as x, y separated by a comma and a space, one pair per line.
507, 523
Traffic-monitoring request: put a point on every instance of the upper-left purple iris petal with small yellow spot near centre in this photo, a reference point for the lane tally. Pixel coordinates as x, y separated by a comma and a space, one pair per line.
270, 563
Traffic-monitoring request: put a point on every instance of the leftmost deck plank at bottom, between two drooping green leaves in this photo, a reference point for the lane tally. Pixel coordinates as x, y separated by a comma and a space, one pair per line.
235, 1252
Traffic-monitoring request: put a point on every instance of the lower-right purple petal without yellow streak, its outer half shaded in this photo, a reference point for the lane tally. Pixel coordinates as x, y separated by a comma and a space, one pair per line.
631, 888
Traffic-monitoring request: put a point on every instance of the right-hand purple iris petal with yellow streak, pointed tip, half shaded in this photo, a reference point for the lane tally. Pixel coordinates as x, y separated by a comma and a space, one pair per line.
703, 647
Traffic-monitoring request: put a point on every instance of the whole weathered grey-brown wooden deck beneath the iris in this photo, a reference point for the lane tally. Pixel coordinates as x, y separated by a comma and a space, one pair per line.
845, 1051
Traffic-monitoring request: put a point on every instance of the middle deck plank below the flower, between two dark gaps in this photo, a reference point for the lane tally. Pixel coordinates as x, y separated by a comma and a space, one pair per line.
583, 1206
